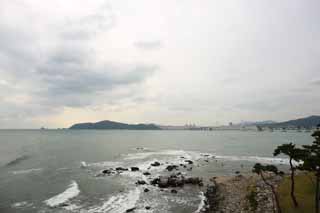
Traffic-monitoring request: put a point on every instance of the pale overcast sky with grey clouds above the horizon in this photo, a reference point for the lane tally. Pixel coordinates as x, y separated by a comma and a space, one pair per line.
206, 62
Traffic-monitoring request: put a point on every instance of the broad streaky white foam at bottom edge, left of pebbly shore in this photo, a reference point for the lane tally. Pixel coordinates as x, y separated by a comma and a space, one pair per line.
119, 203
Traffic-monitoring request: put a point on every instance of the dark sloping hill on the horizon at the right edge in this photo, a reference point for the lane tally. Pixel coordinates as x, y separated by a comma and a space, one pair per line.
311, 121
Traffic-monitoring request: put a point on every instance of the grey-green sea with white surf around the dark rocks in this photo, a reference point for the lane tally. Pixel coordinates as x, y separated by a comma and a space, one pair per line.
60, 170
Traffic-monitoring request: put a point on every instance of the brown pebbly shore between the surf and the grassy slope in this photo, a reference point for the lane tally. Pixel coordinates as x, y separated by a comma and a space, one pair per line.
239, 194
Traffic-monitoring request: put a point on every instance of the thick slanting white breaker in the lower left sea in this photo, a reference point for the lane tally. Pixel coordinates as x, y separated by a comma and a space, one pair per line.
71, 192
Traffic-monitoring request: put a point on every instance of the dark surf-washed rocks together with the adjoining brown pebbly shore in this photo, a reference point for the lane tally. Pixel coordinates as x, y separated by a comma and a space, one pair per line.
238, 193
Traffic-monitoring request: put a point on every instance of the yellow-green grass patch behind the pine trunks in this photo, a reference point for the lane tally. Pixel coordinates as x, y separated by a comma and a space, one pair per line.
304, 191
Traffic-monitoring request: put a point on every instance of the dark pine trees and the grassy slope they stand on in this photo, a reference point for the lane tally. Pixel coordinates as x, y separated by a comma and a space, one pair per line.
300, 188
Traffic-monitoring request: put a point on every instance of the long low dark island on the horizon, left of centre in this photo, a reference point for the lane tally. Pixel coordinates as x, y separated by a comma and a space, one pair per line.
114, 125
